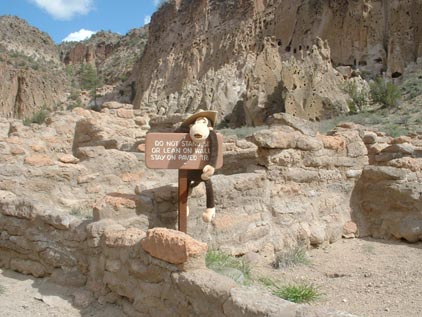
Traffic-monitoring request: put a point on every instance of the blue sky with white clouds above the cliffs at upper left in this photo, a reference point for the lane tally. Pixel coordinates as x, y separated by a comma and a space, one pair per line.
61, 18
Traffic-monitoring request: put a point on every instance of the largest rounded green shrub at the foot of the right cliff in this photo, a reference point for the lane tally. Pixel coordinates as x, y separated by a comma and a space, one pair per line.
385, 93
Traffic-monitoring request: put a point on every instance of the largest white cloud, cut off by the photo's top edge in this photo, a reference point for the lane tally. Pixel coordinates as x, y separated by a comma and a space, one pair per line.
65, 9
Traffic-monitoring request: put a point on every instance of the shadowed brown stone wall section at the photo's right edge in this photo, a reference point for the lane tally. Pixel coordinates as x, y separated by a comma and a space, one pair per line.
388, 197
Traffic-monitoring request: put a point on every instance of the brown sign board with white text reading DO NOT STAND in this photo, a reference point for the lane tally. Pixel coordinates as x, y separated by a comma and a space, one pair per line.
178, 151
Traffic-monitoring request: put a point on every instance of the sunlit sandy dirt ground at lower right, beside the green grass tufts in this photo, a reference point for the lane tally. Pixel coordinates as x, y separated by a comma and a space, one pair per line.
366, 277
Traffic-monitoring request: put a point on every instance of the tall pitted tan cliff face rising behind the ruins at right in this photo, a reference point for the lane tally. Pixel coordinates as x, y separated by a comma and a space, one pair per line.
230, 55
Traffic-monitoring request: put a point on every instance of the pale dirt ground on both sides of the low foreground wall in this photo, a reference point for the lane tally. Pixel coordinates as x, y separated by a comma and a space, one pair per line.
366, 277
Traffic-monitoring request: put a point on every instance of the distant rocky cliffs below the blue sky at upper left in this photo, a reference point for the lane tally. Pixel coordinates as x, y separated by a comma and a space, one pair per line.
36, 73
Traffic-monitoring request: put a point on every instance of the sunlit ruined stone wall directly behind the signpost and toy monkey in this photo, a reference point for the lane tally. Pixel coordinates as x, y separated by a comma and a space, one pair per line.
283, 186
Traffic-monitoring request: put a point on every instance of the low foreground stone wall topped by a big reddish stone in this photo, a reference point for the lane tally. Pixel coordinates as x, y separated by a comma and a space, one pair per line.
158, 273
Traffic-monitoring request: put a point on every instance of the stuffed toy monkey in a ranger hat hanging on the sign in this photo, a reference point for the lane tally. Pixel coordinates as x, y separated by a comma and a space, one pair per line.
200, 128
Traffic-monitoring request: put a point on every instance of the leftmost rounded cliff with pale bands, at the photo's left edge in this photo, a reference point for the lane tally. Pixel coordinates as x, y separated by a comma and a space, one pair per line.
31, 74
